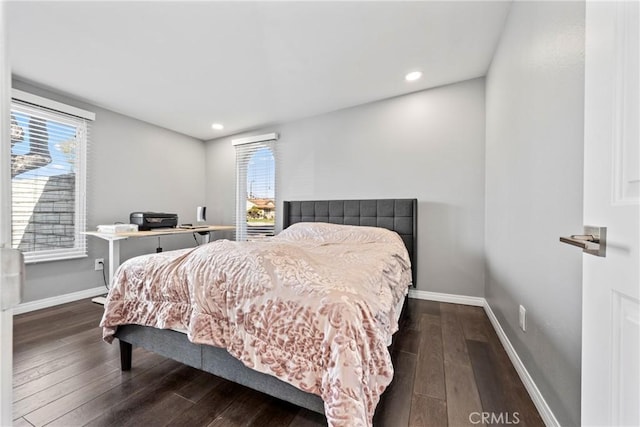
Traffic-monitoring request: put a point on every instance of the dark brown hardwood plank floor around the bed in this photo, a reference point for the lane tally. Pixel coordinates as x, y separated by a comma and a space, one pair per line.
449, 366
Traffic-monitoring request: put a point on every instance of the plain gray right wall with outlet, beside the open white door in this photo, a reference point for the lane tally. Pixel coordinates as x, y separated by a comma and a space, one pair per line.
534, 151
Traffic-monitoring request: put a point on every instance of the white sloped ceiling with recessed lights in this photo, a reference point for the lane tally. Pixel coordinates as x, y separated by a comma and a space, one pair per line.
185, 65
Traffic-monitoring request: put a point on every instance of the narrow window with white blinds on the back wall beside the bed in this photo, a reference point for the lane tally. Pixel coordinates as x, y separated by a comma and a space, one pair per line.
255, 186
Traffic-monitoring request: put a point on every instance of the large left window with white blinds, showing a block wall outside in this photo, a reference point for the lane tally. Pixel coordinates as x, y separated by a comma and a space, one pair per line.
48, 175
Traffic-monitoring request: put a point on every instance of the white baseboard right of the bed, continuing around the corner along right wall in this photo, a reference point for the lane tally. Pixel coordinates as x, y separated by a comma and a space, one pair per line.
537, 398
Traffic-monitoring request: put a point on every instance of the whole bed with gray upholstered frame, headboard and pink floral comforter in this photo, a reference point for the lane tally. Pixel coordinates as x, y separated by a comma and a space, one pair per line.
210, 348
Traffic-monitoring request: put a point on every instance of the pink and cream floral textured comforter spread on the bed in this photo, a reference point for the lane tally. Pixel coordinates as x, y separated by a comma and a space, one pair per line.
314, 306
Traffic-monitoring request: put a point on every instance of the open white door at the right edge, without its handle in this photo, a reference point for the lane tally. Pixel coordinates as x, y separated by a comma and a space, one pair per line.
611, 294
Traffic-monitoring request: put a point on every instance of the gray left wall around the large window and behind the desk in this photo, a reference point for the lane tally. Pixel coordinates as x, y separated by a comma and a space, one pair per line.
132, 166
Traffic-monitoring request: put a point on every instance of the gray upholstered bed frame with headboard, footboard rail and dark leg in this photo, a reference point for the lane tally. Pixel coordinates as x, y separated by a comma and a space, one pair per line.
399, 215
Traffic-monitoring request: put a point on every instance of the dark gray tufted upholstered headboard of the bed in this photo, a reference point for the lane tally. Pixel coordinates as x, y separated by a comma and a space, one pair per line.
399, 215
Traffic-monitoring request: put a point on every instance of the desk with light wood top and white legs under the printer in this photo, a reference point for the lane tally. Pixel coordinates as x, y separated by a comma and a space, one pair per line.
115, 238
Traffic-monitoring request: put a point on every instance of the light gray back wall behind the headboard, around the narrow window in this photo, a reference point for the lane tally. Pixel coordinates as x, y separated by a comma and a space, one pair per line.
427, 145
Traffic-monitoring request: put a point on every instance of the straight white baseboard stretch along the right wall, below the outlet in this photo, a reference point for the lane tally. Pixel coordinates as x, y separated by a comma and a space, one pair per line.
537, 398
